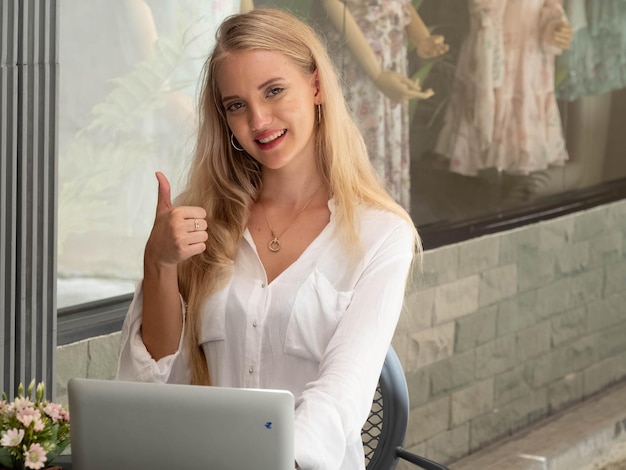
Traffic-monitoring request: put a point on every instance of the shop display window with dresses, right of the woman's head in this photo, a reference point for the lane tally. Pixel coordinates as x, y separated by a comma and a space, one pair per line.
526, 102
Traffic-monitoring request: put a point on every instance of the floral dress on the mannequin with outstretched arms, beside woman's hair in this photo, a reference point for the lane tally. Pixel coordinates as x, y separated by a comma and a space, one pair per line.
384, 124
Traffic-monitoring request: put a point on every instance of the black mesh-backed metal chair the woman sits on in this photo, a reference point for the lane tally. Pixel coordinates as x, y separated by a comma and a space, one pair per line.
384, 432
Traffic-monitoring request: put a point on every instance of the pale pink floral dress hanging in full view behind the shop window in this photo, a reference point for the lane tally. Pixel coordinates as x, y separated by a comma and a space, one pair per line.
502, 111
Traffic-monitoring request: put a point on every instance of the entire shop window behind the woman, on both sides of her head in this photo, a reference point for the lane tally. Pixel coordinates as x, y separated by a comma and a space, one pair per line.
527, 103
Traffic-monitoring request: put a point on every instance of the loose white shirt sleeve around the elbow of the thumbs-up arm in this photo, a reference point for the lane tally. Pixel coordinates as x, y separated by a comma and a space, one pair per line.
135, 362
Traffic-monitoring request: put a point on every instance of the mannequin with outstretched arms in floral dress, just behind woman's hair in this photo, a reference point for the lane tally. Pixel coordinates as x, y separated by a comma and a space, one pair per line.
374, 66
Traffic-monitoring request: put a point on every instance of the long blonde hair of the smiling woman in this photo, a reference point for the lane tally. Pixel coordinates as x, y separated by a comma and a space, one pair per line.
226, 182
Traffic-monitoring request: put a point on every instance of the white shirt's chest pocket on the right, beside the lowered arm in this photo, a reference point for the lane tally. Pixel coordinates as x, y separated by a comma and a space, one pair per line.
316, 312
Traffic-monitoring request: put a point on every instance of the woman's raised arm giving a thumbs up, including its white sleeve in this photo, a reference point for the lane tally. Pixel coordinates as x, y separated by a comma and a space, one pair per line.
153, 327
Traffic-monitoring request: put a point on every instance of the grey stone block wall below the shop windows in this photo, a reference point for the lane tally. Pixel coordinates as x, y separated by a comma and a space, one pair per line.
499, 332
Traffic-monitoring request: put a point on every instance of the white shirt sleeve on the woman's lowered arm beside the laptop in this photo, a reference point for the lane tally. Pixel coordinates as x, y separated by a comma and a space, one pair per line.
332, 410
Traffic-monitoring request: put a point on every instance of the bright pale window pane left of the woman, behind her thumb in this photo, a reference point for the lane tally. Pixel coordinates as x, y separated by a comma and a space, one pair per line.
129, 71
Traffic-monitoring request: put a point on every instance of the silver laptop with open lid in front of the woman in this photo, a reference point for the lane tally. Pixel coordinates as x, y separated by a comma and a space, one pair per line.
144, 426
